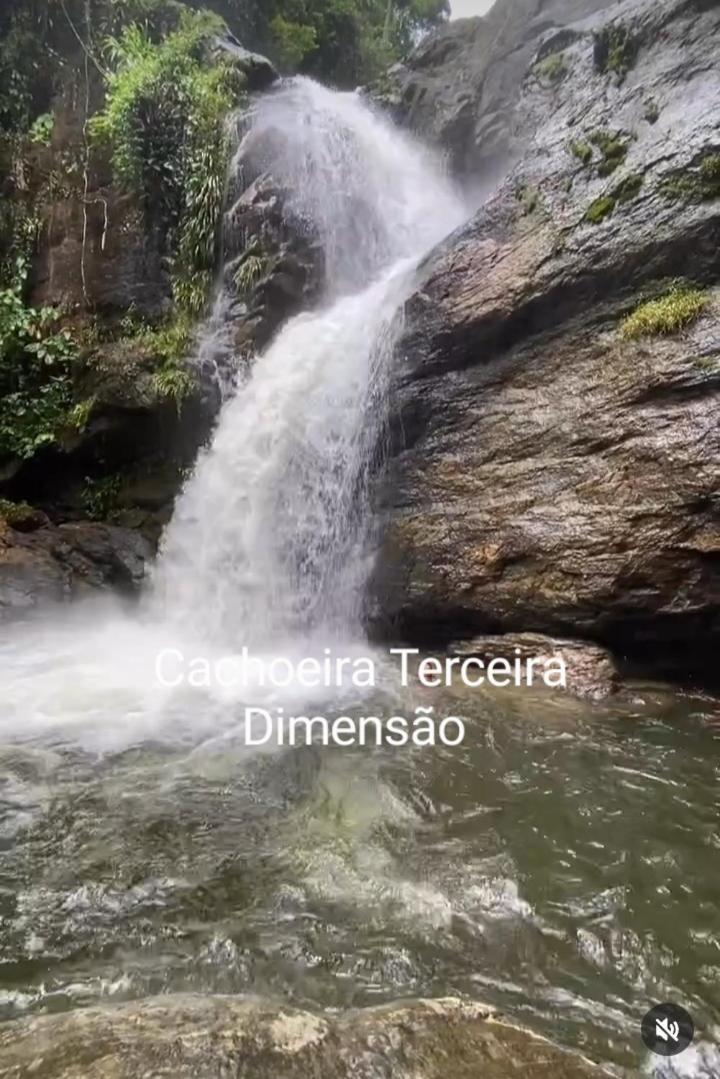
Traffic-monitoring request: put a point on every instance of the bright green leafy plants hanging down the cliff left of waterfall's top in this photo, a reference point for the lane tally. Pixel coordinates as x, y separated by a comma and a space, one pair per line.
165, 120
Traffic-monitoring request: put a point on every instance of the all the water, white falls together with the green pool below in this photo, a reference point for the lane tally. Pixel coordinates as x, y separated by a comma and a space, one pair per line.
560, 864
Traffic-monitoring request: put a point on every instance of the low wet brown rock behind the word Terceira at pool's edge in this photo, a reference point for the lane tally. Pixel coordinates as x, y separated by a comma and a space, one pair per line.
592, 672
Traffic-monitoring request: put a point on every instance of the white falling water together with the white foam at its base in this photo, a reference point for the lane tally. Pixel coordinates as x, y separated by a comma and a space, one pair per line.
270, 544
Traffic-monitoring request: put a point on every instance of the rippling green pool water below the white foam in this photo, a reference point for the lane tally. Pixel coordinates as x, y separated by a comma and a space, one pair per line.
562, 865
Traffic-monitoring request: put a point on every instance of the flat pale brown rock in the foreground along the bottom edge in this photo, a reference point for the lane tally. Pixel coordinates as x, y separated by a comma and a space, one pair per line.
209, 1037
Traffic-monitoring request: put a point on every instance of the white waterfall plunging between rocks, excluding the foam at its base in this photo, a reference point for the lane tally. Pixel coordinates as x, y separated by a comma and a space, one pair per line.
273, 536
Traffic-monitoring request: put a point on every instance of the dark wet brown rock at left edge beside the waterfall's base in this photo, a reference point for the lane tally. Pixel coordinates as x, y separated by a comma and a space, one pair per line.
59, 564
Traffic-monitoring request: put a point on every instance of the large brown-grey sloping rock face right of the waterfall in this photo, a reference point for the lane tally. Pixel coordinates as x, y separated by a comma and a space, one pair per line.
547, 473
